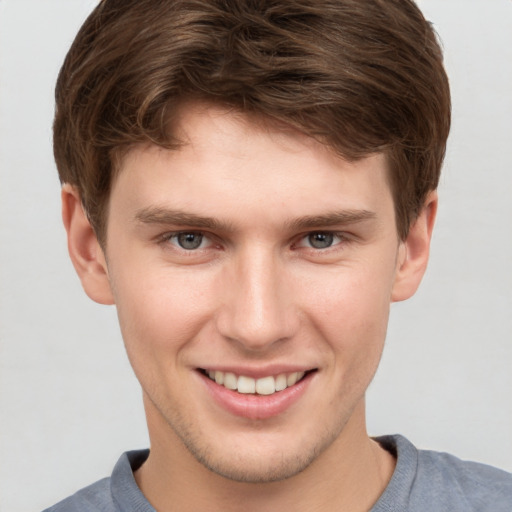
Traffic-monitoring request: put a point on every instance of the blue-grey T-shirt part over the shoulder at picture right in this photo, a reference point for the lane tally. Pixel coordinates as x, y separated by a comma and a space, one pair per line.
427, 481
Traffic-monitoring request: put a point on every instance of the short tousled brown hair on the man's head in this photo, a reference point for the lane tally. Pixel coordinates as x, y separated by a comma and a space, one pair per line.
361, 76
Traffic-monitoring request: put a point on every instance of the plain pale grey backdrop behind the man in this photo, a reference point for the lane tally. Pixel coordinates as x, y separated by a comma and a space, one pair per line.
69, 403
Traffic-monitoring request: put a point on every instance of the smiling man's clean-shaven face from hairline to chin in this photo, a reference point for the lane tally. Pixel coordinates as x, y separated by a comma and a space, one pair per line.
252, 270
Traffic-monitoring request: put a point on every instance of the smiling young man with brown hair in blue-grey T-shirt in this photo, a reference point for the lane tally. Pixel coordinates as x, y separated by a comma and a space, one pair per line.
252, 184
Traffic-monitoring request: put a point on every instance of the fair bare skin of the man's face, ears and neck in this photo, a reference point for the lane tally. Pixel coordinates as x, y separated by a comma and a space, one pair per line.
255, 296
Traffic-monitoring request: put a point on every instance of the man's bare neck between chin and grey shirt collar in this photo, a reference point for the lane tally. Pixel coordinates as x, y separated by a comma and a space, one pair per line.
349, 475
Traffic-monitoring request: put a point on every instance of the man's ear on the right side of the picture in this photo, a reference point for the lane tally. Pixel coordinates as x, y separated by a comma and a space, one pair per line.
414, 251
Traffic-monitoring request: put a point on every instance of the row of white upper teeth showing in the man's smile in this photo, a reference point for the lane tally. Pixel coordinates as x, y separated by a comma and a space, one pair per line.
247, 385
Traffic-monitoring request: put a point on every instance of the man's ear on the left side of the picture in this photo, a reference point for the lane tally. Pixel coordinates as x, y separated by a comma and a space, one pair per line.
84, 249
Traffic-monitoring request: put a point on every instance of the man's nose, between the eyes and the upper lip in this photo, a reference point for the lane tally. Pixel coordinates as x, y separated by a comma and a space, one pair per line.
257, 311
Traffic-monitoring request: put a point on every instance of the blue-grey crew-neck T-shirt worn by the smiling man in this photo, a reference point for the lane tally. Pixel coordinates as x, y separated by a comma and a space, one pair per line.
423, 481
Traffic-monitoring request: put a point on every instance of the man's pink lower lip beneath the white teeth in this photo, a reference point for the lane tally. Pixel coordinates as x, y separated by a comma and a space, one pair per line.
256, 407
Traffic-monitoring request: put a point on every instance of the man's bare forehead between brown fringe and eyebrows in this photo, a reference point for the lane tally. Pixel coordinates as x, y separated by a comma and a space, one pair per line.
230, 164
